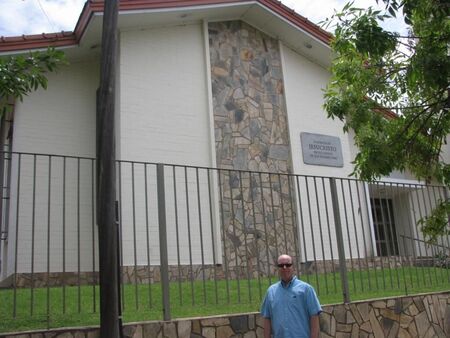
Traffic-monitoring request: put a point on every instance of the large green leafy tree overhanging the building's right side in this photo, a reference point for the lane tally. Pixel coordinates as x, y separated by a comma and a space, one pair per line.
393, 92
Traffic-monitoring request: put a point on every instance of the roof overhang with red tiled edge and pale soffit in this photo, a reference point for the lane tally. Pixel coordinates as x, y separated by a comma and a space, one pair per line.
269, 16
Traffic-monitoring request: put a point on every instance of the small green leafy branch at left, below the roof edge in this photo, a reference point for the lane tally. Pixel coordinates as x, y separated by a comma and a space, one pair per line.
22, 74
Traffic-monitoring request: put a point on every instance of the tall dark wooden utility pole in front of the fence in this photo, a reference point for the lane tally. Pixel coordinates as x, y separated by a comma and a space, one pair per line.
110, 323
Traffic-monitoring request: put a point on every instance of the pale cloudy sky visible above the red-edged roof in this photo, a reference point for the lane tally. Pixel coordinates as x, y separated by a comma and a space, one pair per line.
19, 17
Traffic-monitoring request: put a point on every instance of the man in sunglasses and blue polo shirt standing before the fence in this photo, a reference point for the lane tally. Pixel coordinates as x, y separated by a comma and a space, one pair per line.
291, 308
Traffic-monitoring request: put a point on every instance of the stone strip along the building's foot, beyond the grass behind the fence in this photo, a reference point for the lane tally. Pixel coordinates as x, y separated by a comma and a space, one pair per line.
151, 274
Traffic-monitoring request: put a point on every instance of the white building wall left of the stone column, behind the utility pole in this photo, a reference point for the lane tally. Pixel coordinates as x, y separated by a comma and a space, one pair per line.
162, 116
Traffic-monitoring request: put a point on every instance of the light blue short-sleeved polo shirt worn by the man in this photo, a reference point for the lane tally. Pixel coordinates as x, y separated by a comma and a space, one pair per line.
290, 307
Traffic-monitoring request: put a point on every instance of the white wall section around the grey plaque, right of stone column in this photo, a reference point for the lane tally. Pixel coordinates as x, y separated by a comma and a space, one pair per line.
304, 82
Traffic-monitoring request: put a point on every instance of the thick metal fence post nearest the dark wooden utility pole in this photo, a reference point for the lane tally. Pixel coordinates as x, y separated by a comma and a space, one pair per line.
164, 261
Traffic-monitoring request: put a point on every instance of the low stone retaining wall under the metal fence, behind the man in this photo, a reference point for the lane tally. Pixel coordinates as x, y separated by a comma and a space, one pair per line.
413, 316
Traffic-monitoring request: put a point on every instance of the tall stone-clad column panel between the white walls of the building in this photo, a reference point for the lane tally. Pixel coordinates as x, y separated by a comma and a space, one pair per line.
251, 134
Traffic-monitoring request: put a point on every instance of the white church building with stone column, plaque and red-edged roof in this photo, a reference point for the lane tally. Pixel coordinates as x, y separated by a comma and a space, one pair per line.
229, 96
